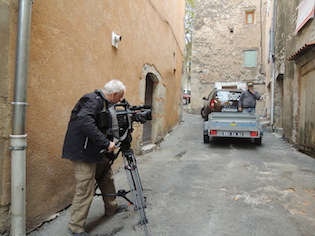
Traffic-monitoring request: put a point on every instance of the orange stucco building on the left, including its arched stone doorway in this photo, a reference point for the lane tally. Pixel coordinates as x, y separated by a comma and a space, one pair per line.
71, 52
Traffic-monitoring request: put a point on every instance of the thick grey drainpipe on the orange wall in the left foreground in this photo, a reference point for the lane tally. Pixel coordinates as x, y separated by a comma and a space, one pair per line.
18, 137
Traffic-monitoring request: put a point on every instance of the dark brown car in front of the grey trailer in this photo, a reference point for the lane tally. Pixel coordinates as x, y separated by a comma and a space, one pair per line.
220, 100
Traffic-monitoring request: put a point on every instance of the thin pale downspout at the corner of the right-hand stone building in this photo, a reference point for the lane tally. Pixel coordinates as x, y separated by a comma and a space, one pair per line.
273, 61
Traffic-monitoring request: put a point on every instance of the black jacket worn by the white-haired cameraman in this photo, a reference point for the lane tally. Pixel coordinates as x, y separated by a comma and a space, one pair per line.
84, 139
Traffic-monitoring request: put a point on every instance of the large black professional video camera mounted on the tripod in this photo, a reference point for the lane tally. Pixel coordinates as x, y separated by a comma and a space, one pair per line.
118, 119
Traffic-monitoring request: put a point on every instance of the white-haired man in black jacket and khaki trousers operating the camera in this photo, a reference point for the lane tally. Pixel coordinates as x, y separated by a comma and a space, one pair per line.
82, 145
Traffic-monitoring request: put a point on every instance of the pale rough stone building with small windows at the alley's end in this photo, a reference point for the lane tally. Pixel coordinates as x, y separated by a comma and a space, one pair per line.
227, 47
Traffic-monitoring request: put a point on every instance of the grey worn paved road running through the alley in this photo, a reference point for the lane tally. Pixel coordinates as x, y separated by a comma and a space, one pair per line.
228, 187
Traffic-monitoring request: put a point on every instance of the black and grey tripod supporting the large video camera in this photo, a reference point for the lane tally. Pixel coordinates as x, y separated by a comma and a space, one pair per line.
135, 185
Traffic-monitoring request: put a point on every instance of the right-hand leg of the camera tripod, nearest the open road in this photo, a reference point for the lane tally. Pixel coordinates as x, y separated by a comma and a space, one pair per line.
135, 187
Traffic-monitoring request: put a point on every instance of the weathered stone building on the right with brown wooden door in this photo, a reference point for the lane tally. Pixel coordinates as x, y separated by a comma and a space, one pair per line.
293, 63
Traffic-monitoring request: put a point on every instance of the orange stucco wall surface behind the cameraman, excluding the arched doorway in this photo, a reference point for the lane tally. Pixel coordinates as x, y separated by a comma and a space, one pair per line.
71, 54
